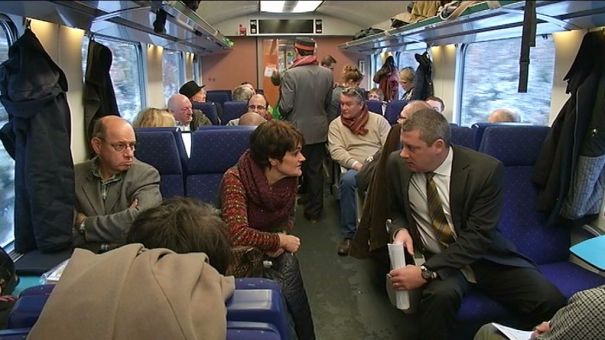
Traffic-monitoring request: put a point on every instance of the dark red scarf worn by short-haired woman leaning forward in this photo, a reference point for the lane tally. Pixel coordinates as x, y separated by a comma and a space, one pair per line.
269, 207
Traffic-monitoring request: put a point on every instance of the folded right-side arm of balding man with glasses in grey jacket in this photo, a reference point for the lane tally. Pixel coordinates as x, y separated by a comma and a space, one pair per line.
114, 227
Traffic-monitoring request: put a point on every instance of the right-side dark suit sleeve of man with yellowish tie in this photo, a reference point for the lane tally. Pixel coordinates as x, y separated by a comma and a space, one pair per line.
475, 237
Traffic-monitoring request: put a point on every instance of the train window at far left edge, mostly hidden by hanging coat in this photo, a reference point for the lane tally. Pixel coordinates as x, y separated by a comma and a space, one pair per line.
7, 165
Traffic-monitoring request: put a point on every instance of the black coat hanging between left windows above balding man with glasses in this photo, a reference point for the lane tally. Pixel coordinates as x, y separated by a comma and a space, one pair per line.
99, 97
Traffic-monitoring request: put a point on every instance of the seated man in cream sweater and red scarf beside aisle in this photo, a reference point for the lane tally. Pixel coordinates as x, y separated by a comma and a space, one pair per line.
352, 139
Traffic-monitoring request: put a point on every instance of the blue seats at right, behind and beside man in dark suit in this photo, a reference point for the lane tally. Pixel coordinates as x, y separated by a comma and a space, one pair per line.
518, 148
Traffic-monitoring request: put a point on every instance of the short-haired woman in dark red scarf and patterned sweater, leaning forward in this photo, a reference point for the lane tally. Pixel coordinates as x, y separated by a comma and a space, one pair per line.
257, 199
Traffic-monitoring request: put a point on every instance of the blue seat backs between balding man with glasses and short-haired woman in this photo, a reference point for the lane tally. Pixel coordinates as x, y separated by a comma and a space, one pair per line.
213, 150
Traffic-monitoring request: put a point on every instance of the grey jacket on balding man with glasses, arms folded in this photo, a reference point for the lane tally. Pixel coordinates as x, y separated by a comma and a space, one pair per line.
109, 221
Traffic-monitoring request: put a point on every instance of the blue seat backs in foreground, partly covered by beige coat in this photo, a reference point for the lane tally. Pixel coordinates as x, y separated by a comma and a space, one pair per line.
256, 310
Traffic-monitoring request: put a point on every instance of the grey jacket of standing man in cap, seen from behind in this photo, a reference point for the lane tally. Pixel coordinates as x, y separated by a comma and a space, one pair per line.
306, 93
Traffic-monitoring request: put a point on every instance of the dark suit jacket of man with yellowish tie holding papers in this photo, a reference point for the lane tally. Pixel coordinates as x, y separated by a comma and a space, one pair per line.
475, 204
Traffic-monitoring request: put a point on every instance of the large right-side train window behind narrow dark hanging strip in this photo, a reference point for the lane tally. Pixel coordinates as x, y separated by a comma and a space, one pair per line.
490, 80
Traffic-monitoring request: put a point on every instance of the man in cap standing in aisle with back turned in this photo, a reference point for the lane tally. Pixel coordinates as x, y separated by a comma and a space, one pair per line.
306, 91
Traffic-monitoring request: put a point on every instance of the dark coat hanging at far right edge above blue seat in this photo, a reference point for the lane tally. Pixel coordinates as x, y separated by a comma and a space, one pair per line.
569, 171
